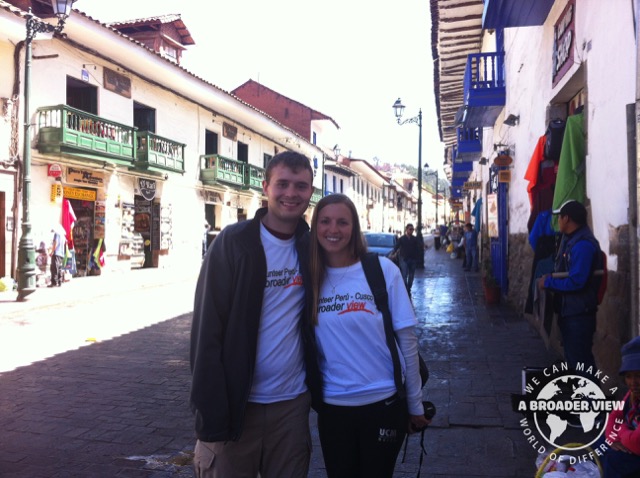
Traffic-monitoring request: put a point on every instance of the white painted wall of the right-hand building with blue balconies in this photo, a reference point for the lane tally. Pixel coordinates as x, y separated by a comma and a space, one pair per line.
606, 47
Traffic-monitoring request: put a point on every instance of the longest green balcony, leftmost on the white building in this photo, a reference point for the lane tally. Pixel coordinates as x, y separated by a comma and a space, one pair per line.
62, 128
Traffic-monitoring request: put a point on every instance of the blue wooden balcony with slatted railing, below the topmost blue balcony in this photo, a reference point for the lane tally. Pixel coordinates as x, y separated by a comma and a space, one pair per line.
484, 89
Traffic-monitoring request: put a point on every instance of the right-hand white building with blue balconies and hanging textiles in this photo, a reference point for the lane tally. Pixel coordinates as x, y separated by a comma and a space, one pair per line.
540, 108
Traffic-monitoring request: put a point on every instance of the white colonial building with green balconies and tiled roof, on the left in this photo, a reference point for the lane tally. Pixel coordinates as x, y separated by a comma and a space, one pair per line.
143, 151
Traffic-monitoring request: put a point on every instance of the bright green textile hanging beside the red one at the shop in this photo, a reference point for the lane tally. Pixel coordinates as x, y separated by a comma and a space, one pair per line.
571, 181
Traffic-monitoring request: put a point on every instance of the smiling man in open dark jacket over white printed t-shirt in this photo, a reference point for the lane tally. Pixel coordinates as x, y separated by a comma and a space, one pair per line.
249, 391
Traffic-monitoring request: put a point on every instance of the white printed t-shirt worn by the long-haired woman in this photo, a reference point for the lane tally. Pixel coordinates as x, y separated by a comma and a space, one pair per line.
355, 361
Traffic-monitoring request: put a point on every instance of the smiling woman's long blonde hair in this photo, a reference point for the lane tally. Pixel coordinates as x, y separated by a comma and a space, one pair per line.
317, 258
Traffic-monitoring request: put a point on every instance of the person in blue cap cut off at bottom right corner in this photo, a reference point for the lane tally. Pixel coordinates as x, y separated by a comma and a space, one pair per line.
622, 459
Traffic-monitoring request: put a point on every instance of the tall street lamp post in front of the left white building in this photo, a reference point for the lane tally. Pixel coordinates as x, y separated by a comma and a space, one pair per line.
26, 251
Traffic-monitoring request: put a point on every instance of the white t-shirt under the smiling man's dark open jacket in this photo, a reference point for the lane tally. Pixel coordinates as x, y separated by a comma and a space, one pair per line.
279, 371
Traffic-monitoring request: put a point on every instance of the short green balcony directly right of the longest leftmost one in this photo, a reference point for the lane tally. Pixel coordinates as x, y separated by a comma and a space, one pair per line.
156, 151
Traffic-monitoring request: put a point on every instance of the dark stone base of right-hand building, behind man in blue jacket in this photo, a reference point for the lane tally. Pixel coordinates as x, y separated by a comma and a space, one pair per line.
614, 320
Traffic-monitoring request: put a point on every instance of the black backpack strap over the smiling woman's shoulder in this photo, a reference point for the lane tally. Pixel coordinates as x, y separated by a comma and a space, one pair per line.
377, 284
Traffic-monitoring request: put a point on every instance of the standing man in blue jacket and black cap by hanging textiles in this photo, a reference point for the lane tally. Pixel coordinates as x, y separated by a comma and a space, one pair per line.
575, 288
